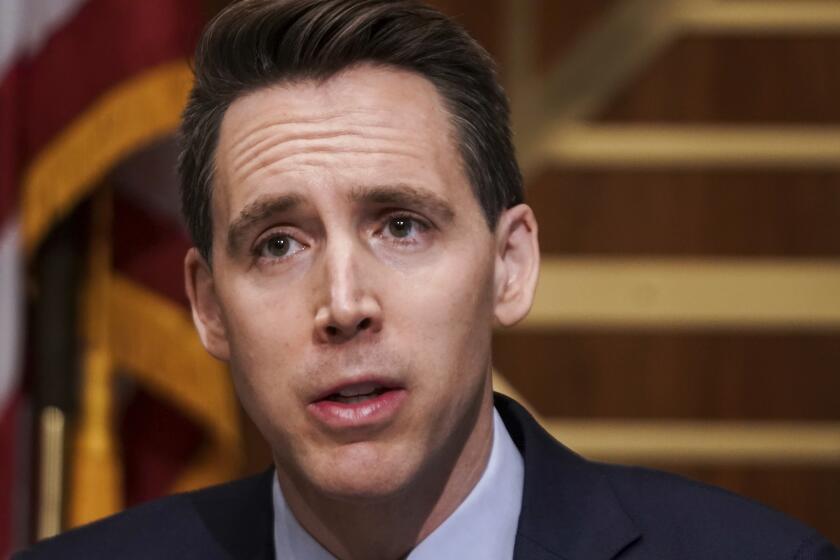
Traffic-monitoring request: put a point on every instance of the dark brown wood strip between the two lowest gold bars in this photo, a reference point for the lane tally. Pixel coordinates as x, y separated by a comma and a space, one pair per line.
674, 375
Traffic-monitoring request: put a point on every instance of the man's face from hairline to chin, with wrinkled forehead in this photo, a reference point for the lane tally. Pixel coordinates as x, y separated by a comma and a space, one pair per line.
352, 278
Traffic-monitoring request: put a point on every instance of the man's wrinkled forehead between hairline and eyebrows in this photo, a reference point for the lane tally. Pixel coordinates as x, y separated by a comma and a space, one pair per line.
368, 117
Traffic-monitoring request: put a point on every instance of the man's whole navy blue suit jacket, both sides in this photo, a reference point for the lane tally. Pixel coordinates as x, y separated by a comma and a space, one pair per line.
572, 509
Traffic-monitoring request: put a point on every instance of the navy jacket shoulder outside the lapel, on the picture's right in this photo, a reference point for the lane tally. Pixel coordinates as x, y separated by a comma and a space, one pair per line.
694, 520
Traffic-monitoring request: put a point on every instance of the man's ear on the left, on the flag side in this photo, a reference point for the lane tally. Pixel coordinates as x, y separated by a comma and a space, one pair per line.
206, 311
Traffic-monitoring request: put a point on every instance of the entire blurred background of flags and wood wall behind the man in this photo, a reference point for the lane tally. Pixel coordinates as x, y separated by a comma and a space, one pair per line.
683, 159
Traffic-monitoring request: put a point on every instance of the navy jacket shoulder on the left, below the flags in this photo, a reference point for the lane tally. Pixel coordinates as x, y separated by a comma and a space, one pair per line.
206, 523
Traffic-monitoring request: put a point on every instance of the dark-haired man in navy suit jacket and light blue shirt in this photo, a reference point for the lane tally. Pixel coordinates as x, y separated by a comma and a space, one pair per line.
350, 185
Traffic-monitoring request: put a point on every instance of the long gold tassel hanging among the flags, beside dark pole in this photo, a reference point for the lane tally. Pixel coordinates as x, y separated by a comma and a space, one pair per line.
96, 473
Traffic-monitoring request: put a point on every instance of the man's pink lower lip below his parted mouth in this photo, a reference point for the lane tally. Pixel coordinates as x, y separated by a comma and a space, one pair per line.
368, 413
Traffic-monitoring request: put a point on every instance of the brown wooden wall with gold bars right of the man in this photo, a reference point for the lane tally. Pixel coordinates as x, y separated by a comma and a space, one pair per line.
698, 147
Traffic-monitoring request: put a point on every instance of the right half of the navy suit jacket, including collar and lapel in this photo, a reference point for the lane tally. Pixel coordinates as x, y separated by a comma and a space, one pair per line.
577, 509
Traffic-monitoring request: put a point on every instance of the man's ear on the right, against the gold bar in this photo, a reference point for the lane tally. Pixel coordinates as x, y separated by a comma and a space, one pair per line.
517, 264
